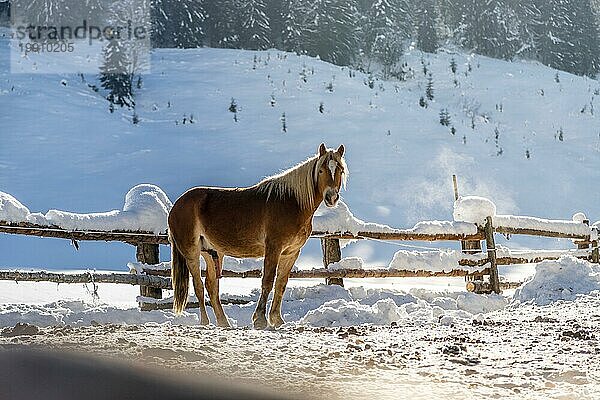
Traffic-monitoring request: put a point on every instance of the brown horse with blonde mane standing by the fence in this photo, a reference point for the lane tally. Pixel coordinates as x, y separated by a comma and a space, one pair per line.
272, 219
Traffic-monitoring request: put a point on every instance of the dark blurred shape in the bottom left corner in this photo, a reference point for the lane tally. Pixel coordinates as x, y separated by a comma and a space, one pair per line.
27, 374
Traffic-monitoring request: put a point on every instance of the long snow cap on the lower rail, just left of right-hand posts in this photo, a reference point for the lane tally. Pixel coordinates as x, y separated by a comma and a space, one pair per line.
434, 261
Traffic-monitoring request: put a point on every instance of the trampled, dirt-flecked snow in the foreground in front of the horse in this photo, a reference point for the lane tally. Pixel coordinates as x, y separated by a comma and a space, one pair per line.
527, 352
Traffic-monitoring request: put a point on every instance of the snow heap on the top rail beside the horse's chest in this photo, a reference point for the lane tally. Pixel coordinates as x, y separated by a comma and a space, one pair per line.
340, 219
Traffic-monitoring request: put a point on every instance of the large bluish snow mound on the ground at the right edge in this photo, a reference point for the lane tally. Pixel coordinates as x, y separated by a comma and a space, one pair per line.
562, 279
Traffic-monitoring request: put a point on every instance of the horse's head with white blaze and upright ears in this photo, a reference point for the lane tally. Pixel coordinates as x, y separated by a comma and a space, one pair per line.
330, 174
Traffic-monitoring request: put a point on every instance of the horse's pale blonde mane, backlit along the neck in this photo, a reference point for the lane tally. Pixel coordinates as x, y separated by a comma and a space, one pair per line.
299, 181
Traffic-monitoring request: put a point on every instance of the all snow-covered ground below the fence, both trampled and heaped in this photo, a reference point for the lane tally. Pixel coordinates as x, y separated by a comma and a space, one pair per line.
540, 343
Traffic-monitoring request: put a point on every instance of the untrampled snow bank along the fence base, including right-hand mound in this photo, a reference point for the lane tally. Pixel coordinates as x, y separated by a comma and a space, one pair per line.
324, 305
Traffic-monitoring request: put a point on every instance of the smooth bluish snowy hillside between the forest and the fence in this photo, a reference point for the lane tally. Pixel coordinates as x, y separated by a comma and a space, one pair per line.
526, 141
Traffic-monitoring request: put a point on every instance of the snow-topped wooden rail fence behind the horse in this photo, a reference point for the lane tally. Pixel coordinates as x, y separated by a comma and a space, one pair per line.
153, 281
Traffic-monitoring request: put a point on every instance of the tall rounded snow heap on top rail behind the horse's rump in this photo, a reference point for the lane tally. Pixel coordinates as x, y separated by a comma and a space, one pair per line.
146, 209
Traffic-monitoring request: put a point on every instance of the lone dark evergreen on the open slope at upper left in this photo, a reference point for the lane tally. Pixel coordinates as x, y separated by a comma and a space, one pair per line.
114, 75
